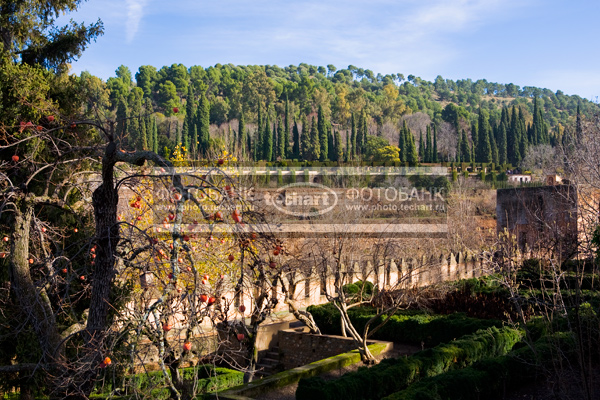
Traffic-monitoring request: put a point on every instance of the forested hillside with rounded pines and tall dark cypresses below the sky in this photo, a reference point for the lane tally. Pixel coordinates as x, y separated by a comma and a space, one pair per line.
317, 113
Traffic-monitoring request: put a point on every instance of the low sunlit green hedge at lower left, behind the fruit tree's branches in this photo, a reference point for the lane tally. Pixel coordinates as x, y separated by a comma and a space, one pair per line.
207, 378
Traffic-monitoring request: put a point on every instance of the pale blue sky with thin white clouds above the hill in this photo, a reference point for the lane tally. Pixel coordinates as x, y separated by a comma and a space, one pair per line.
542, 43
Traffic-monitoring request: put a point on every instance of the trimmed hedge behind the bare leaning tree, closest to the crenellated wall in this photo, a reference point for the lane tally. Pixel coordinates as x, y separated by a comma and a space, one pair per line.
411, 327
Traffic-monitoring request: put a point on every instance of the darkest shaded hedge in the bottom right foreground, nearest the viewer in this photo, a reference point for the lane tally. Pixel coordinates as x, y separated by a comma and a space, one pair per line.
489, 378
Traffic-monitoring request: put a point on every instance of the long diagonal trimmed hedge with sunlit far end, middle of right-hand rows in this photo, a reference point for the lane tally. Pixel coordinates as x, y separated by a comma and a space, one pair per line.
392, 375
